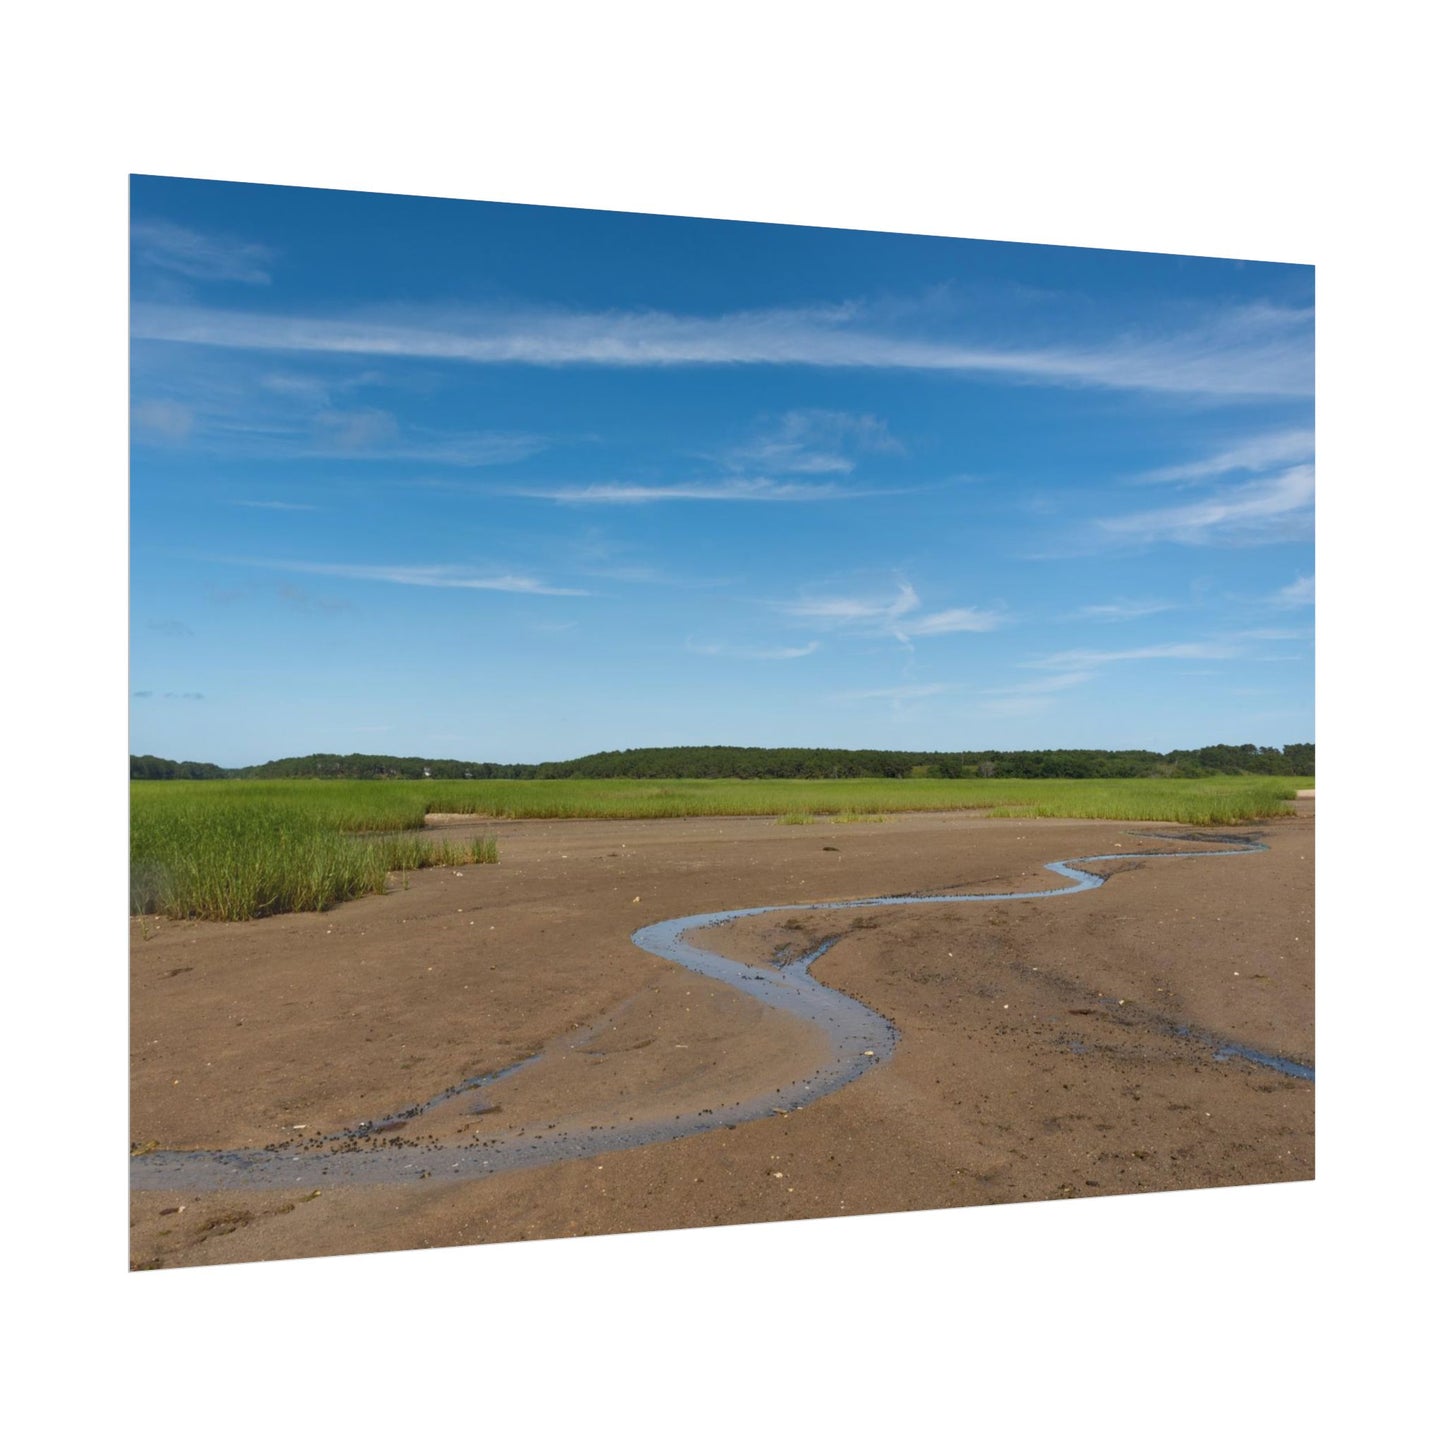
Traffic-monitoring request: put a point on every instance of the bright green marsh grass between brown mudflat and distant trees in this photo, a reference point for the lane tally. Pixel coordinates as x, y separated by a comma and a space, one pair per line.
243, 849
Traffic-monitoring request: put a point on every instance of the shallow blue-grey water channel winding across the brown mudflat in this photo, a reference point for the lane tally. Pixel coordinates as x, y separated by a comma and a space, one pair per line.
860, 1040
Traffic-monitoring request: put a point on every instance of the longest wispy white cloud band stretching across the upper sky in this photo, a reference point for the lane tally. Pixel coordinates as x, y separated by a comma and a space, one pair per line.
1251, 350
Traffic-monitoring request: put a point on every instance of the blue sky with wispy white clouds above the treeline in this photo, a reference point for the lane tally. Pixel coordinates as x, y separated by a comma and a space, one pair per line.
515, 483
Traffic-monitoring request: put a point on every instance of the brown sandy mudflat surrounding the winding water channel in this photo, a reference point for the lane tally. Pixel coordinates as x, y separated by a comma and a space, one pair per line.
1040, 1051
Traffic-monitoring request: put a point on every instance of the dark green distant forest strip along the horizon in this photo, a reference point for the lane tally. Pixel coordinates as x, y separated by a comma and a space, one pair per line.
1294, 761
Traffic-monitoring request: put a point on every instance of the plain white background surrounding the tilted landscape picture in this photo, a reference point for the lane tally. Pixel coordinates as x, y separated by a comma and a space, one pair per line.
1256, 131
